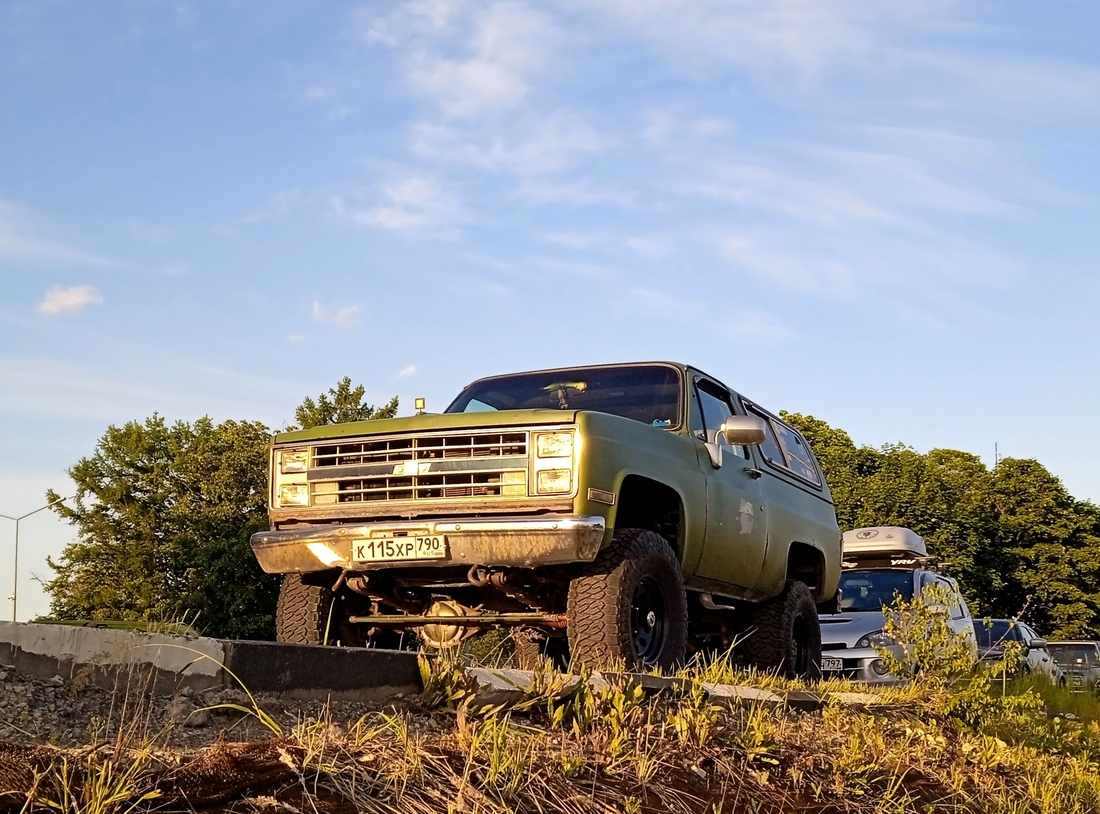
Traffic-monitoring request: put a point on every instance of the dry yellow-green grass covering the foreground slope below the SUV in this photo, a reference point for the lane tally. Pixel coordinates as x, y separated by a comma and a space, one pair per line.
972, 746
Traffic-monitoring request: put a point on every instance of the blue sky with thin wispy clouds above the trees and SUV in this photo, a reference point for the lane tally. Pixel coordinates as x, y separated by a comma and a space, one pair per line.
879, 214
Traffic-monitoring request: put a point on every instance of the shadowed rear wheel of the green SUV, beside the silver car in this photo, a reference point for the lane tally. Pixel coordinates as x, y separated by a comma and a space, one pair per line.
785, 635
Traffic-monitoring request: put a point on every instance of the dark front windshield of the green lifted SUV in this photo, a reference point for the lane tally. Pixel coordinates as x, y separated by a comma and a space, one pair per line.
650, 394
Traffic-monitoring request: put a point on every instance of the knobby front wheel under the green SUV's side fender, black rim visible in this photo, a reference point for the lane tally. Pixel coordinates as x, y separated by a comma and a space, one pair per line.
630, 606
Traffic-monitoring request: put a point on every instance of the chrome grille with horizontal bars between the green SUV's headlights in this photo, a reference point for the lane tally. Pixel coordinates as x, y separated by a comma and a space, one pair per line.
421, 468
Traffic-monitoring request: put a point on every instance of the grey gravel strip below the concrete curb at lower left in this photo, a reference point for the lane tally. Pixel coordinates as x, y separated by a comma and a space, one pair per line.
71, 713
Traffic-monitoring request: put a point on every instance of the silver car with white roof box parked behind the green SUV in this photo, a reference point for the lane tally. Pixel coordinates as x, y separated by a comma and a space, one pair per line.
881, 566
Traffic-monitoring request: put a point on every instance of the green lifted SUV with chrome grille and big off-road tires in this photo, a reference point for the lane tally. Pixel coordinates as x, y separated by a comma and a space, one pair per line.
617, 514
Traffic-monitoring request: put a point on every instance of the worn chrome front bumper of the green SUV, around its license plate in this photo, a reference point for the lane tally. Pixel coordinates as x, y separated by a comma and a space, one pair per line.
519, 542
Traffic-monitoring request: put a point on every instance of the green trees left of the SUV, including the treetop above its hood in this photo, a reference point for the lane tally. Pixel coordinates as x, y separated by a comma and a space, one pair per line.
163, 514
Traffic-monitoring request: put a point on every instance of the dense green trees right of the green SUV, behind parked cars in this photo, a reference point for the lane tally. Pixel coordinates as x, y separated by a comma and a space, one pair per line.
1013, 535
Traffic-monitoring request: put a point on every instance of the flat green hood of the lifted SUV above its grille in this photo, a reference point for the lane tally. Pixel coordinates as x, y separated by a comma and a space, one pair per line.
428, 423
